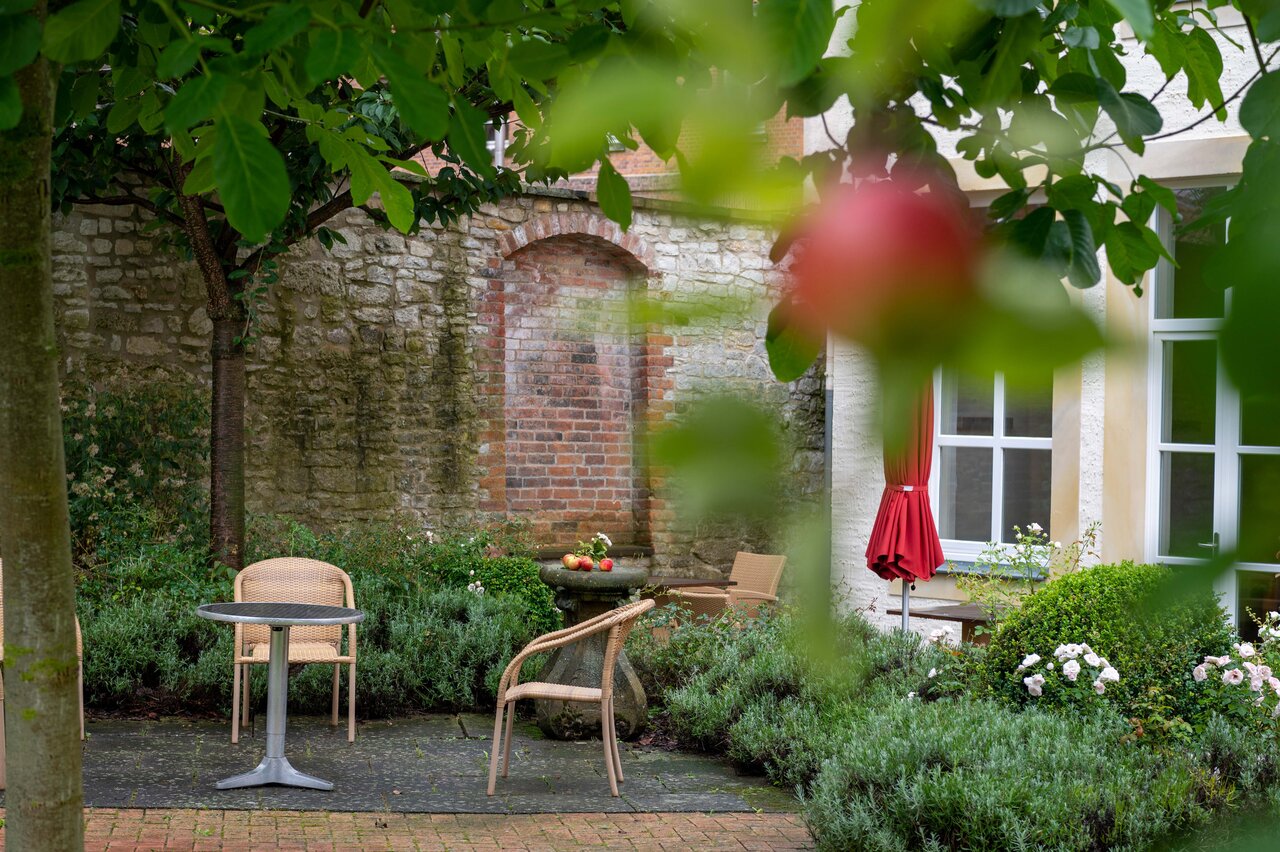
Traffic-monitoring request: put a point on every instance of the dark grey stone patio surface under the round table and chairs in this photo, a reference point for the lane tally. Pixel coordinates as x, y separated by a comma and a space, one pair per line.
412, 766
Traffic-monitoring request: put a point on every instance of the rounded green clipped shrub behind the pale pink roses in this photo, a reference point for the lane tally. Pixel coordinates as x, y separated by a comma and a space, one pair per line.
1145, 620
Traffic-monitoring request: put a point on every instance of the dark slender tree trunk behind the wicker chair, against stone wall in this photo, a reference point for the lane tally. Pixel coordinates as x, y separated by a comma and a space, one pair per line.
227, 451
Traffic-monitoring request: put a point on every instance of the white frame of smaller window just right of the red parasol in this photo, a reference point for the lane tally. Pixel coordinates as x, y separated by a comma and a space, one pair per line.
961, 549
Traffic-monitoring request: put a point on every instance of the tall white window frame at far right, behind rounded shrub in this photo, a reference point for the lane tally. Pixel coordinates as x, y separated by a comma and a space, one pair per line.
1226, 450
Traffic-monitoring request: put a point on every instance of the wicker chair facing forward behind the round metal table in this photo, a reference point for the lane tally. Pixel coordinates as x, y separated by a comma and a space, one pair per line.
295, 581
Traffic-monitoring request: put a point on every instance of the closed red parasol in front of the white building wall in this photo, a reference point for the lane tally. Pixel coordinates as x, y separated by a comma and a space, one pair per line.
904, 543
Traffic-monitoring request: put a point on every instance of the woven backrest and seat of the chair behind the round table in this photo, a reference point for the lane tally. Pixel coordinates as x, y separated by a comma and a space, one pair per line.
290, 580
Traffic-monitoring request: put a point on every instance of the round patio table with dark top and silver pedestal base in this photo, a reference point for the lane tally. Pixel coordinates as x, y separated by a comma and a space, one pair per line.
276, 768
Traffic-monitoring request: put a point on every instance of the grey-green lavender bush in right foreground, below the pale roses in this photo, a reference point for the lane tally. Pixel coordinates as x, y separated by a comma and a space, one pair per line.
977, 776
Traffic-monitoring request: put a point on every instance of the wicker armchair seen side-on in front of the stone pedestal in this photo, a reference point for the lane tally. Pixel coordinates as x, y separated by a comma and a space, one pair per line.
619, 624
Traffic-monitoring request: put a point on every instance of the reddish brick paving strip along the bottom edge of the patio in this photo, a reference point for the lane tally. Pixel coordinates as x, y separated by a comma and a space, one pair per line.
316, 831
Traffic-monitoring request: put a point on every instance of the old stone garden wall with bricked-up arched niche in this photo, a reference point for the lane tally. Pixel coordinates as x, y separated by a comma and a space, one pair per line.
482, 369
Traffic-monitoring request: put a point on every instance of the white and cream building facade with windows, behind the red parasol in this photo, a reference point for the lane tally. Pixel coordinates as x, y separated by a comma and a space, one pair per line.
1149, 441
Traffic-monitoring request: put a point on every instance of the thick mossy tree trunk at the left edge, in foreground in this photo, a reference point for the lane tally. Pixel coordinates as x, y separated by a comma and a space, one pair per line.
45, 799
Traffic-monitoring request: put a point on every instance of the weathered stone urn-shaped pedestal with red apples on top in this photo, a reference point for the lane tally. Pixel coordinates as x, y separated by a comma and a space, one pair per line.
583, 596
